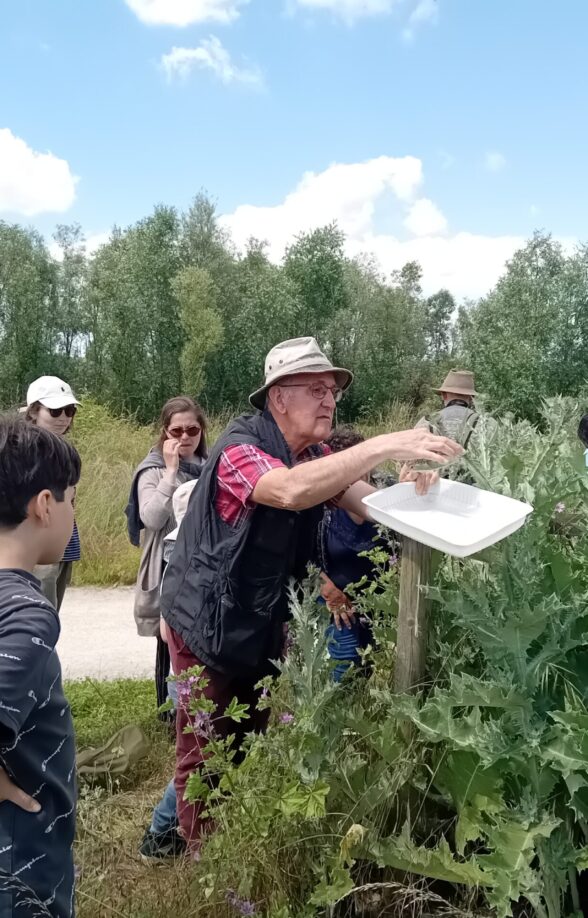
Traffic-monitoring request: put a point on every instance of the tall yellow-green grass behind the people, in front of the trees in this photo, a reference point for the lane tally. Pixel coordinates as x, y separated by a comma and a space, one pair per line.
111, 448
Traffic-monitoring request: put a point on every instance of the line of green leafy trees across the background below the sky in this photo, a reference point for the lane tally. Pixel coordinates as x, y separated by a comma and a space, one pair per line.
168, 305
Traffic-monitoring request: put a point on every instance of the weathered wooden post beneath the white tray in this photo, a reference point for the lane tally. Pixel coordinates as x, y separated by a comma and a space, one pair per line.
411, 645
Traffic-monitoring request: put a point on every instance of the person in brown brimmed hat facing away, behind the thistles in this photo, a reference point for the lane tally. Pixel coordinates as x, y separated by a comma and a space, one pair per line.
458, 418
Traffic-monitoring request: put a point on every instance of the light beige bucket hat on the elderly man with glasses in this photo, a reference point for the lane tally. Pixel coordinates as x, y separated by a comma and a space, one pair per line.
297, 355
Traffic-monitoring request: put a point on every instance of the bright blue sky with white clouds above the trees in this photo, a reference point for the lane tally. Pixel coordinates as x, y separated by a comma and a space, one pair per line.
440, 129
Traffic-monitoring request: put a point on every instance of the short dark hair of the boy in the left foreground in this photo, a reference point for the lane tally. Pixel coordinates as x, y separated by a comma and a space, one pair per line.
32, 460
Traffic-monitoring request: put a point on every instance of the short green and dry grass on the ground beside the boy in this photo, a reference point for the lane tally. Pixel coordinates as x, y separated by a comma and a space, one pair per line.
112, 816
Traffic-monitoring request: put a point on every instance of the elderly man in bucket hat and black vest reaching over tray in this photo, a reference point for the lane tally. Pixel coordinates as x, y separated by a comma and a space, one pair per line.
251, 526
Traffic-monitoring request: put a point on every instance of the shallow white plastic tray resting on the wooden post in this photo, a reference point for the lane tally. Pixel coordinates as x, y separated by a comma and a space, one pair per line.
455, 518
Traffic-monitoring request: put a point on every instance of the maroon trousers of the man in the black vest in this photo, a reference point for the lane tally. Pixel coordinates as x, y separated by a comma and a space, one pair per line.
221, 689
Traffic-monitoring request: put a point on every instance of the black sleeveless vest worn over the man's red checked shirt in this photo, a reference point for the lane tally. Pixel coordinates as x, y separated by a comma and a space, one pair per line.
225, 589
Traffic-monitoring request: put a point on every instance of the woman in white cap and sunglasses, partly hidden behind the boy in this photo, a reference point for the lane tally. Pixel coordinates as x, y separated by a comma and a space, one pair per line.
52, 405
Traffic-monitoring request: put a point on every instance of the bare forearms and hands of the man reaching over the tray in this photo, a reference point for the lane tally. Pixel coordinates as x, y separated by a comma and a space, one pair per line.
311, 483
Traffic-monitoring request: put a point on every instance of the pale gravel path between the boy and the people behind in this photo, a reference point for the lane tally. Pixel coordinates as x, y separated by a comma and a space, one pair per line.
98, 636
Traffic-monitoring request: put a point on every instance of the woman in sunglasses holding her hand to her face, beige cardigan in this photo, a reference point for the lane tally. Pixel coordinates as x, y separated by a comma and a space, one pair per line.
177, 457
